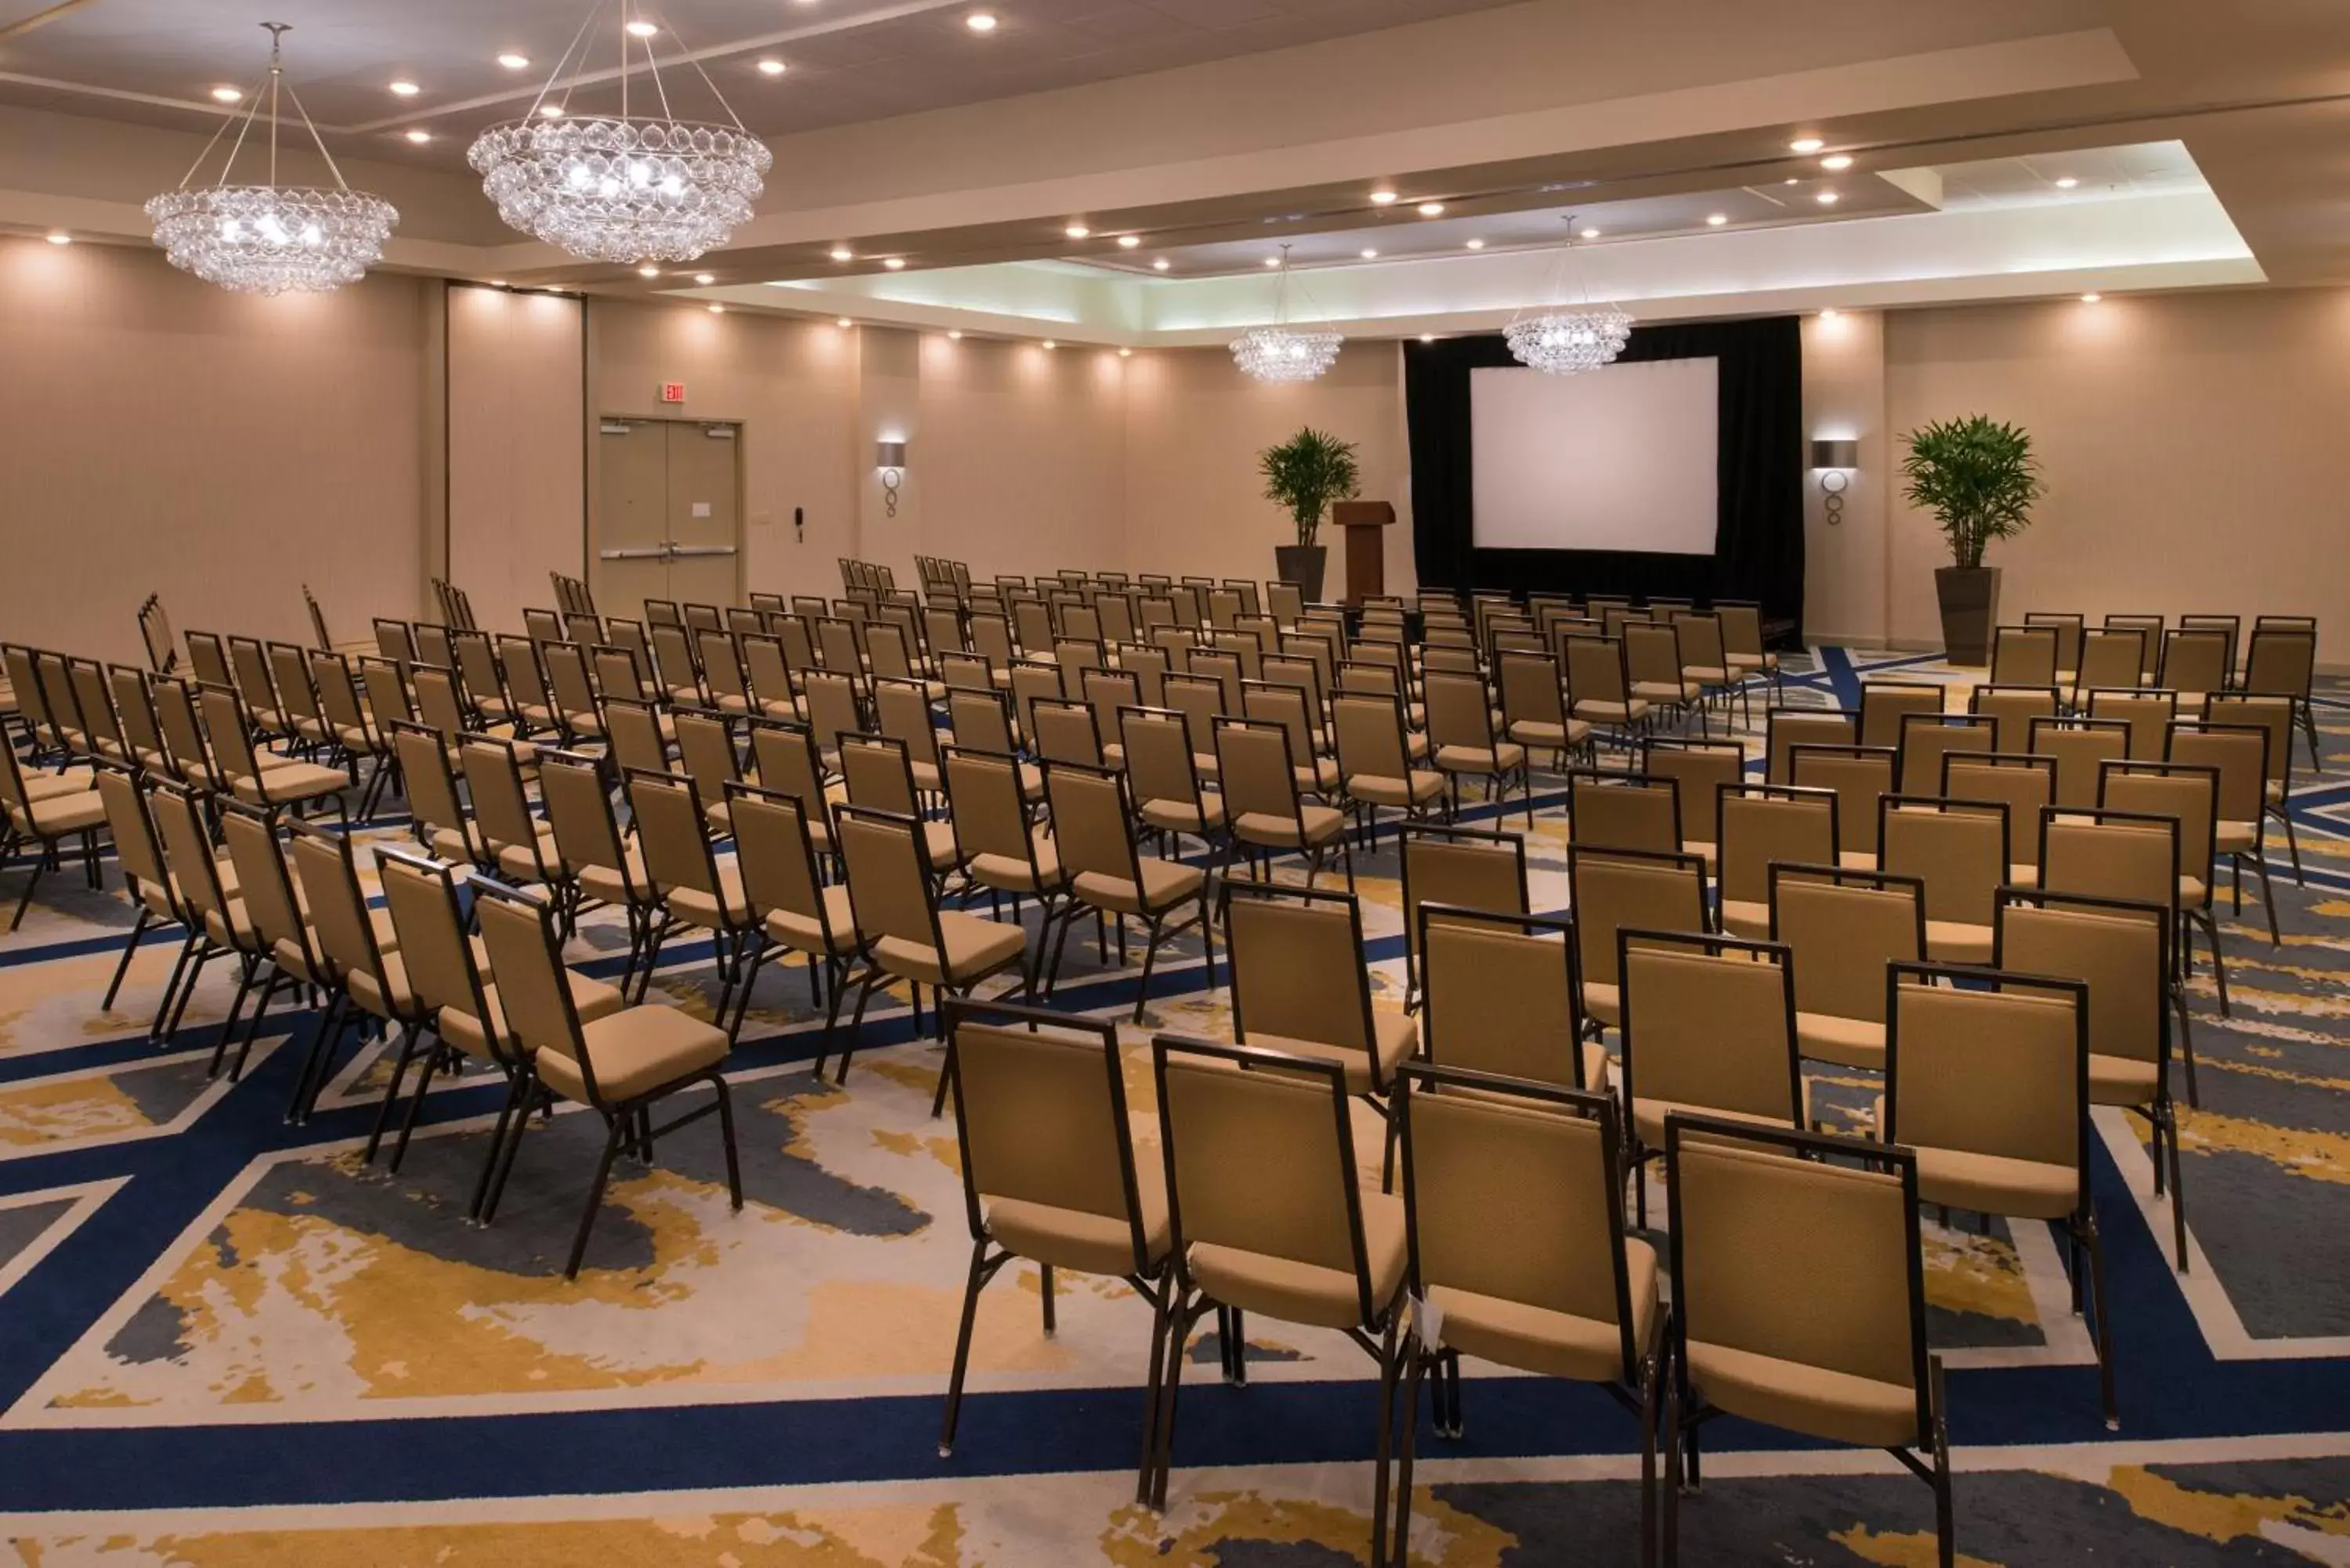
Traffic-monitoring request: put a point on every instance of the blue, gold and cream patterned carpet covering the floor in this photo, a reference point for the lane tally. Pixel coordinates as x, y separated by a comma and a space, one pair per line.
227, 1341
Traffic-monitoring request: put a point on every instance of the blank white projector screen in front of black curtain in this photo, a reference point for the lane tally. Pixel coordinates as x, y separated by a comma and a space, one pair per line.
1613, 460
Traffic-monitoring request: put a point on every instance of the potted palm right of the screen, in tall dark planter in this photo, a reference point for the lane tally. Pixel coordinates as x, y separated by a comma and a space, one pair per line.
1980, 481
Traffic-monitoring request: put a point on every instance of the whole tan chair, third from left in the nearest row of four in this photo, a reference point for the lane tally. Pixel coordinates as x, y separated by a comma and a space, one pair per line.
1515, 1231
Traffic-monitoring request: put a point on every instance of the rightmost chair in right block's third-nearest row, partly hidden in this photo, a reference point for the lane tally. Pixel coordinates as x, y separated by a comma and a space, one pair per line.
2121, 953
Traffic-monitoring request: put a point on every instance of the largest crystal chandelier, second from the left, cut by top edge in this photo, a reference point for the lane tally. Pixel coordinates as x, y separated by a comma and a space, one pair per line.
622, 187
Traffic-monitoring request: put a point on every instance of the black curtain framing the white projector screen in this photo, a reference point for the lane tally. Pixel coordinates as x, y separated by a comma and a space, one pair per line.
1759, 544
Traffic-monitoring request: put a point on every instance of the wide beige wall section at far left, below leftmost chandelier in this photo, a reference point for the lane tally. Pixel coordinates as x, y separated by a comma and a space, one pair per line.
163, 436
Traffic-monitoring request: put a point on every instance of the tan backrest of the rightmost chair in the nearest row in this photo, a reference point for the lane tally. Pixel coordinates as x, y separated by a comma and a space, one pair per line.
1799, 1261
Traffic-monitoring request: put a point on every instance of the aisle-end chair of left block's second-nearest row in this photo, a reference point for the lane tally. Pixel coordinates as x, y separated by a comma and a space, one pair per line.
901, 927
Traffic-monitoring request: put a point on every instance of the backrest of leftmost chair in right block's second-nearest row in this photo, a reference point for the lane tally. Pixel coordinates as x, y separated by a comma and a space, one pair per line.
1298, 967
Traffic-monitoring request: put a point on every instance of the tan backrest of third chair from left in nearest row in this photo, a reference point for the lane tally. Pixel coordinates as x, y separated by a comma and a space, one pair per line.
1512, 1193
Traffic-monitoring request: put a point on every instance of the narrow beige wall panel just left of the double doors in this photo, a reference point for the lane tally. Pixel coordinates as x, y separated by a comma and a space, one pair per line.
518, 495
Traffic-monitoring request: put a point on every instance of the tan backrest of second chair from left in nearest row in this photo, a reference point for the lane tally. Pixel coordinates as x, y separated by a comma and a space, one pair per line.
1261, 1162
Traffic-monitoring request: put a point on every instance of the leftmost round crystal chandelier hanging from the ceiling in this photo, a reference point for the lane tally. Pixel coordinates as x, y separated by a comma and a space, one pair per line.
271, 239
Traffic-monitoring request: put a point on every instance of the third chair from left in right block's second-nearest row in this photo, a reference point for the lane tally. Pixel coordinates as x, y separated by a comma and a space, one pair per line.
1710, 1028
